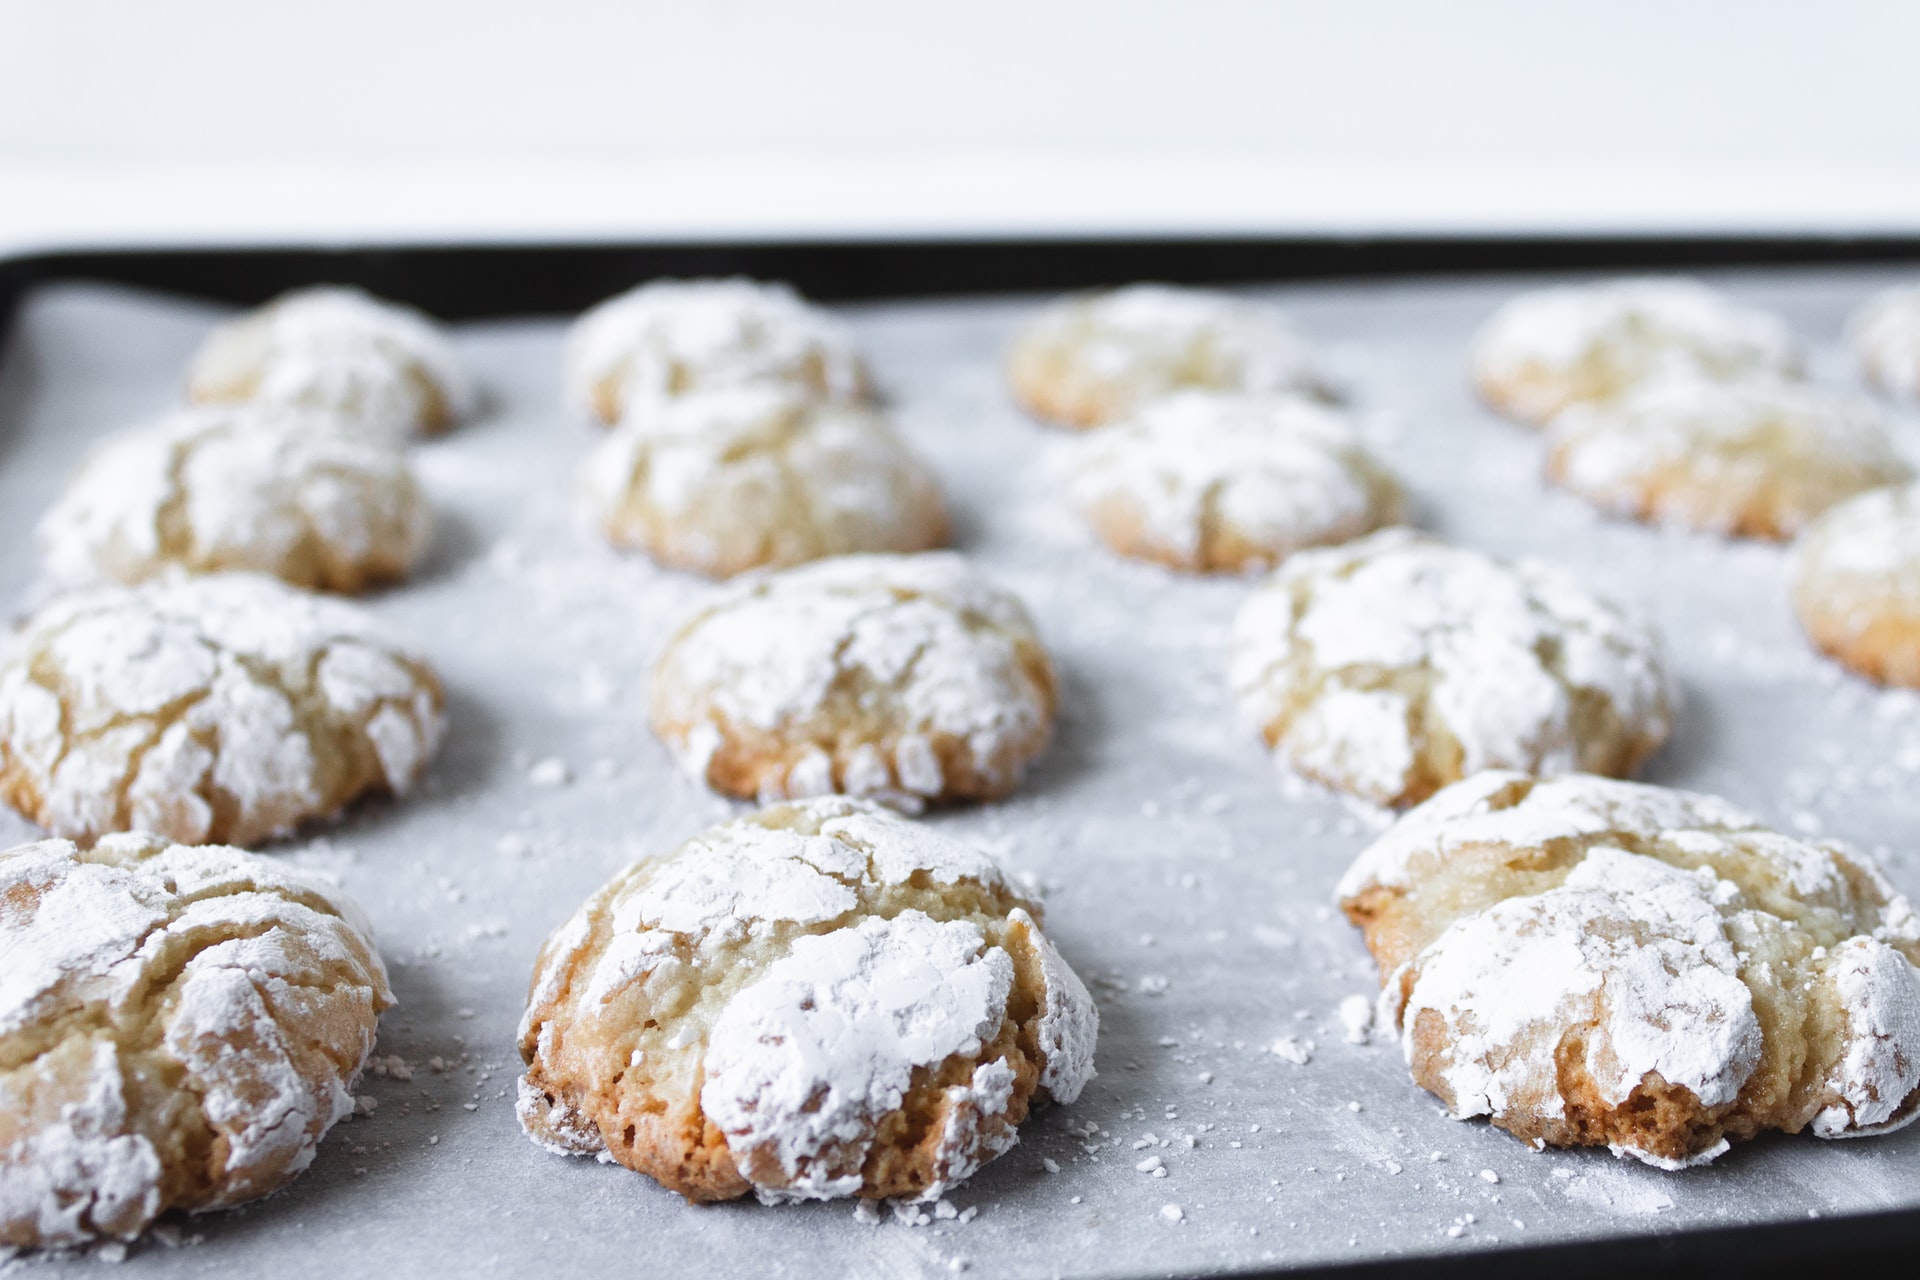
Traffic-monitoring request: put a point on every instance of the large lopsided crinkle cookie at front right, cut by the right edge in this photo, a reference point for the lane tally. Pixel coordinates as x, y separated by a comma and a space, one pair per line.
1591, 962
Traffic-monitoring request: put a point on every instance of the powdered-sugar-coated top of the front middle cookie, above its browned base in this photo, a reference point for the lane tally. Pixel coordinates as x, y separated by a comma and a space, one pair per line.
852, 951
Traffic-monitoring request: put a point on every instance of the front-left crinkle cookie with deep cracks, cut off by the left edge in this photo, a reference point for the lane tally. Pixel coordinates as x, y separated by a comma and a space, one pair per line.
180, 1028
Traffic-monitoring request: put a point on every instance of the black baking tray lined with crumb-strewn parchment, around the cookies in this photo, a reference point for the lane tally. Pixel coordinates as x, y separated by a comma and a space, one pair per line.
1188, 880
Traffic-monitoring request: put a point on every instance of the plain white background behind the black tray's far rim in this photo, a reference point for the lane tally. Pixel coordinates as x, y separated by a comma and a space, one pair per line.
396, 120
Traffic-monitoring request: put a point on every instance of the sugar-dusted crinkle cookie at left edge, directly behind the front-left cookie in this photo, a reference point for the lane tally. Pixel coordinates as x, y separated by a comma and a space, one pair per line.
222, 709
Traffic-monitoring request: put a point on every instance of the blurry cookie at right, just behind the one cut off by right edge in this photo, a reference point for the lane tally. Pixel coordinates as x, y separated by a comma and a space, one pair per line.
1750, 460
